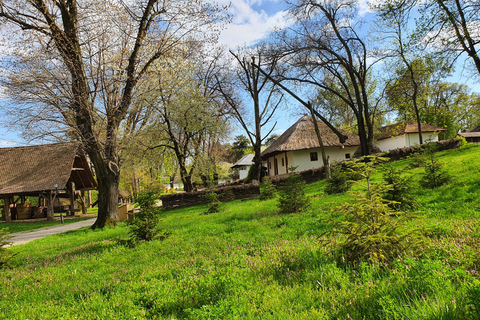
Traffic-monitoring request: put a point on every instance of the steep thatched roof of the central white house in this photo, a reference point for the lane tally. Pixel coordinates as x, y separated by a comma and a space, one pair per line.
301, 136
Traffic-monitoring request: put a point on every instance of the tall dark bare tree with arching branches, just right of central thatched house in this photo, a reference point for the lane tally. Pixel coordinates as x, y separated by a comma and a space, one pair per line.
325, 47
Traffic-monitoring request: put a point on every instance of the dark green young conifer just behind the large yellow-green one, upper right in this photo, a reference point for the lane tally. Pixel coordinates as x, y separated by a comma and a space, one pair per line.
399, 191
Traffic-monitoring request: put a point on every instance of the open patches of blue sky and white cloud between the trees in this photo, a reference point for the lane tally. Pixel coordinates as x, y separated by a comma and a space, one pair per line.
252, 20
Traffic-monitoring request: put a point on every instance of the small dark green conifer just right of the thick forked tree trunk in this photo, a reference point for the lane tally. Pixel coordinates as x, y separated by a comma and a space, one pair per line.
145, 225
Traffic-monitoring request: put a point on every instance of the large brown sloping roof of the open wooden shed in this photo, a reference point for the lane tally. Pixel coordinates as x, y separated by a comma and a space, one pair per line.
34, 169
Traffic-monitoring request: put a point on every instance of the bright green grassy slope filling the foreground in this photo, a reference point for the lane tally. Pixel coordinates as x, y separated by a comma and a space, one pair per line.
251, 262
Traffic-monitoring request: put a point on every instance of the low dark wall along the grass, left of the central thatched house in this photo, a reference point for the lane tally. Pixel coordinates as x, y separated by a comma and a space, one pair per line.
228, 193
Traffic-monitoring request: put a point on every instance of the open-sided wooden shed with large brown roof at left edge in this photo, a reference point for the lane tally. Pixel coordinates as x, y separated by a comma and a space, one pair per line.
49, 172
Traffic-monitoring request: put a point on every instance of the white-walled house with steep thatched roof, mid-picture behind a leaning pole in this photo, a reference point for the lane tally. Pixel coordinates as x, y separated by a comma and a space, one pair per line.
299, 147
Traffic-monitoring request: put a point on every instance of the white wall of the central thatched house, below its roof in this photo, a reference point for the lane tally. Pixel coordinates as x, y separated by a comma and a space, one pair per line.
301, 159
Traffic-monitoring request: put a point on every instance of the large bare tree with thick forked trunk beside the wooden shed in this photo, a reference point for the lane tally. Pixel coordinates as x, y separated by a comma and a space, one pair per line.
84, 60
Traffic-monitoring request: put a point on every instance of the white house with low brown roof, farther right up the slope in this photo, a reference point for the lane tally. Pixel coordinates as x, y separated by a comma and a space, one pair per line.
405, 134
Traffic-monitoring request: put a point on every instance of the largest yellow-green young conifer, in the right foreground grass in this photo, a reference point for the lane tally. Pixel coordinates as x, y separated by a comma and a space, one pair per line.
371, 230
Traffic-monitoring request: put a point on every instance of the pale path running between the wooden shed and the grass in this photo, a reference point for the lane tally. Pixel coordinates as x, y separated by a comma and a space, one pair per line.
27, 236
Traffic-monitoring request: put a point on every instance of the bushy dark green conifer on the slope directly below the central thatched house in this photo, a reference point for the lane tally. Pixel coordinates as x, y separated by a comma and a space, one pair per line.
292, 197
